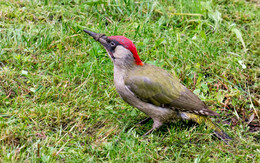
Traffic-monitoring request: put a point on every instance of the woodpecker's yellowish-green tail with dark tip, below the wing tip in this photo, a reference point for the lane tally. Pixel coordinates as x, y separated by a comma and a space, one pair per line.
203, 119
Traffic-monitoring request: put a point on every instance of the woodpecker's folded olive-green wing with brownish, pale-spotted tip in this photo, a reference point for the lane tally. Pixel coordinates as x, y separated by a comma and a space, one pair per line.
154, 85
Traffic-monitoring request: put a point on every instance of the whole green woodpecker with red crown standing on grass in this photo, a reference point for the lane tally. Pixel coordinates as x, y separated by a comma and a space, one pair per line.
151, 89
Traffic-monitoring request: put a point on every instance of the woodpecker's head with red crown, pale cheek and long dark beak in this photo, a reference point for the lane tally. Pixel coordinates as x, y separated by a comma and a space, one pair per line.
121, 50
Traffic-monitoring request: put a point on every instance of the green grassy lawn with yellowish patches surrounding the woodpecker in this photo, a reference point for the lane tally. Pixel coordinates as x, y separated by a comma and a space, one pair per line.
58, 101
